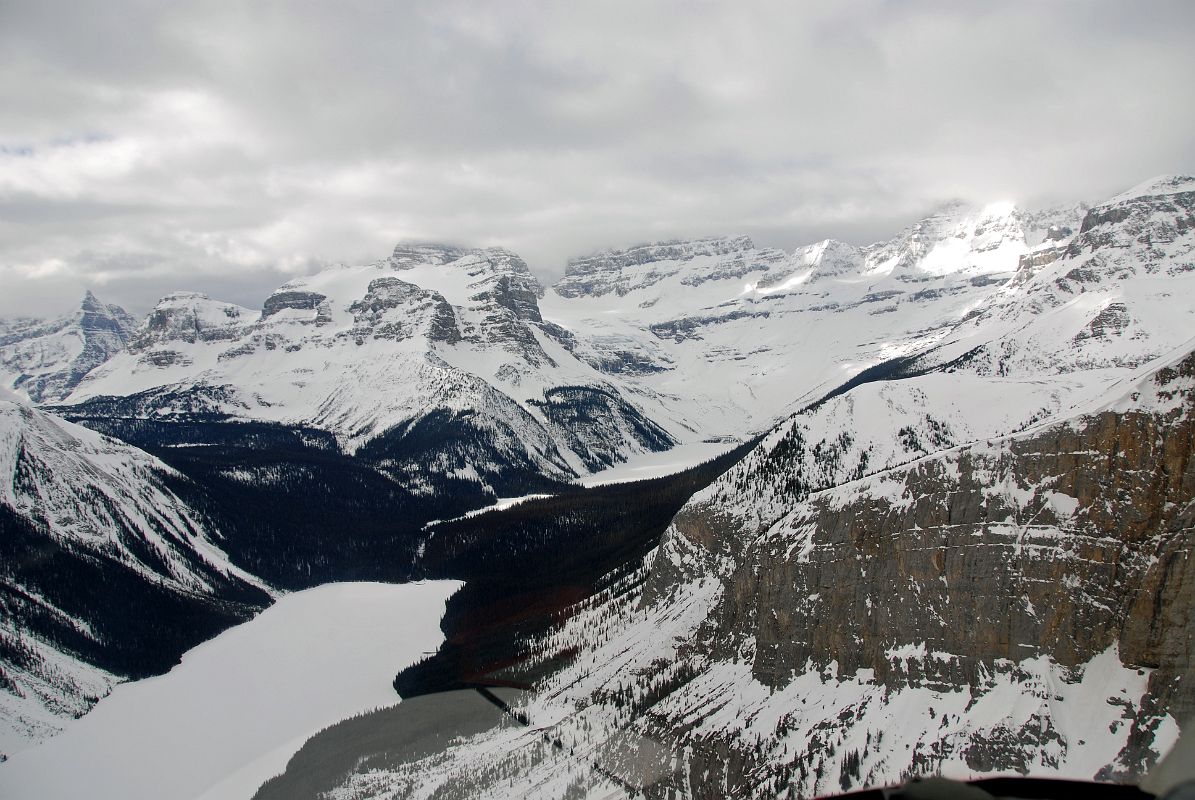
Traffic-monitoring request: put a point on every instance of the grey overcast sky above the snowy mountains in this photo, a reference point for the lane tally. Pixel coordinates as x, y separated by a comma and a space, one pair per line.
224, 148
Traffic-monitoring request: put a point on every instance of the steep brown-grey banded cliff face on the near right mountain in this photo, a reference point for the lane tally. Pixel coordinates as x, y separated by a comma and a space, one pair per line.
1058, 543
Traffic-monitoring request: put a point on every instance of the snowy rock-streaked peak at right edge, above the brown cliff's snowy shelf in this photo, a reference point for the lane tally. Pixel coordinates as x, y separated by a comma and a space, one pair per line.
1116, 295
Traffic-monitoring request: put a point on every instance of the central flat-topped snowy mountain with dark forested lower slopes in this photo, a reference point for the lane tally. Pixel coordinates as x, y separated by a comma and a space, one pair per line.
436, 361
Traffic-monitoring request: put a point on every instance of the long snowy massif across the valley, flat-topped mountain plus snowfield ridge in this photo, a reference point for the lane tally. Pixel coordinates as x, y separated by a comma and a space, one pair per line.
457, 363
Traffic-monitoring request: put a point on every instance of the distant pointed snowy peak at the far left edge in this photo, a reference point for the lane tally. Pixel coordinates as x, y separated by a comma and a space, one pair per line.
46, 359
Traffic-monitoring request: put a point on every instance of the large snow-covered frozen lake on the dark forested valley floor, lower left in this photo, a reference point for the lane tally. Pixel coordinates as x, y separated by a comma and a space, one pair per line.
237, 709
